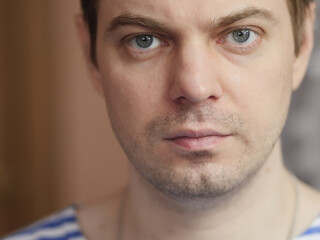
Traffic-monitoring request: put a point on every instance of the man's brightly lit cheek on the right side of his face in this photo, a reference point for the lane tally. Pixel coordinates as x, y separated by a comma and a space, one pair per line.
262, 94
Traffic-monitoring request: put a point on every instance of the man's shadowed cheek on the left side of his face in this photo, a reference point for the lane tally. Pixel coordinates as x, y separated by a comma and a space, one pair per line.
133, 93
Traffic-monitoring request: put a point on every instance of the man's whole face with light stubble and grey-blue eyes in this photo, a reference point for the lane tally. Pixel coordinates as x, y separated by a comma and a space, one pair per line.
197, 91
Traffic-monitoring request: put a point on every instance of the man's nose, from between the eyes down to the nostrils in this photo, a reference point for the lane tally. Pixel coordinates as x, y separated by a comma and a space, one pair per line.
195, 75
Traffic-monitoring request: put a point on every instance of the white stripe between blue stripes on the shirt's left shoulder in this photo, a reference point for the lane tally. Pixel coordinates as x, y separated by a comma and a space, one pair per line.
47, 233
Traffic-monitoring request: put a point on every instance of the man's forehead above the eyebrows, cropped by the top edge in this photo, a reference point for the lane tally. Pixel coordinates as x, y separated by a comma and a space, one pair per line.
185, 12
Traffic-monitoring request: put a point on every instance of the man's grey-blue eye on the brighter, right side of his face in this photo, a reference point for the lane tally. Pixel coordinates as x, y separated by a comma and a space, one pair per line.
241, 36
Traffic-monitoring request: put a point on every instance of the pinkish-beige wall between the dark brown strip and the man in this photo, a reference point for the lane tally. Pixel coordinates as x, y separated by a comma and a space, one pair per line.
89, 160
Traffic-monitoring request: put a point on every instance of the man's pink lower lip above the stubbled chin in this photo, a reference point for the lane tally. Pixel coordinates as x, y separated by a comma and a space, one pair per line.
199, 143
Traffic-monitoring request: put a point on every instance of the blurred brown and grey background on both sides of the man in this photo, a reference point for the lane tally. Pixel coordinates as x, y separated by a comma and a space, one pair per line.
56, 144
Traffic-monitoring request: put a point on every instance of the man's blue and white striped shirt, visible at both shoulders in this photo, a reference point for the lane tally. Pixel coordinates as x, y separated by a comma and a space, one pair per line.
64, 226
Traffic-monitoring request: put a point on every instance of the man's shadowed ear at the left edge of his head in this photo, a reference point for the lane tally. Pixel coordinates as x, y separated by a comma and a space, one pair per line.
84, 36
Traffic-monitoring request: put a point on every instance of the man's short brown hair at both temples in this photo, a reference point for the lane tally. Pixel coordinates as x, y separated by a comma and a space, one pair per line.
297, 10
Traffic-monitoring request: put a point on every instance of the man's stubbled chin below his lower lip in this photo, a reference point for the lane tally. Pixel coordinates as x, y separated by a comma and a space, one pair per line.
204, 179
